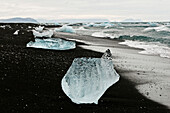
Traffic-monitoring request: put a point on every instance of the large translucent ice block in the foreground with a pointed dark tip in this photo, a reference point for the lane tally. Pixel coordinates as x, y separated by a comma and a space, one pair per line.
88, 78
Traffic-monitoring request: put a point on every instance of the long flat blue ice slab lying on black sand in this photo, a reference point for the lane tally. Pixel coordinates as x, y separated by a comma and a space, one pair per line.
52, 43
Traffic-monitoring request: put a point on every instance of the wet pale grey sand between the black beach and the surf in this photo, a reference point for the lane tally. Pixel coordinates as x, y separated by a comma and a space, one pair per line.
149, 73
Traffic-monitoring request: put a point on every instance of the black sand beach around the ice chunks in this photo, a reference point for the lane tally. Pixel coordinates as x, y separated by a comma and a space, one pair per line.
30, 80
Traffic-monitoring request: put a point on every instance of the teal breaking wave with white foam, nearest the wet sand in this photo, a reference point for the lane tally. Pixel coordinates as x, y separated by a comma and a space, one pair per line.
152, 46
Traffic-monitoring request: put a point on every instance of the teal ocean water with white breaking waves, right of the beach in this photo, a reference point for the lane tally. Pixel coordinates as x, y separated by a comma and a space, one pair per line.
154, 40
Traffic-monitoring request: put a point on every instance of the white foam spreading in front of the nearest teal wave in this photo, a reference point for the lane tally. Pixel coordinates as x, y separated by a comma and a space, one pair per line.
149, 48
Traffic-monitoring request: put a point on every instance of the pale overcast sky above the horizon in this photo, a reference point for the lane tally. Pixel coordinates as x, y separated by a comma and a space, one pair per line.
115, 10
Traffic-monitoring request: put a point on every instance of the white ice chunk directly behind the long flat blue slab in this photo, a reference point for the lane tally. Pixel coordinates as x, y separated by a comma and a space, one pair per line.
47, 34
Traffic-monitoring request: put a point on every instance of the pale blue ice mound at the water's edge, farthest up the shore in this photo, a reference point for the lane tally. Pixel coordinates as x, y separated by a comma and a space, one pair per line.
65, 28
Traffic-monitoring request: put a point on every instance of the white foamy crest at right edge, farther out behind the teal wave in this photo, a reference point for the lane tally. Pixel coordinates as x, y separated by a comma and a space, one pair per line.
158, 29
